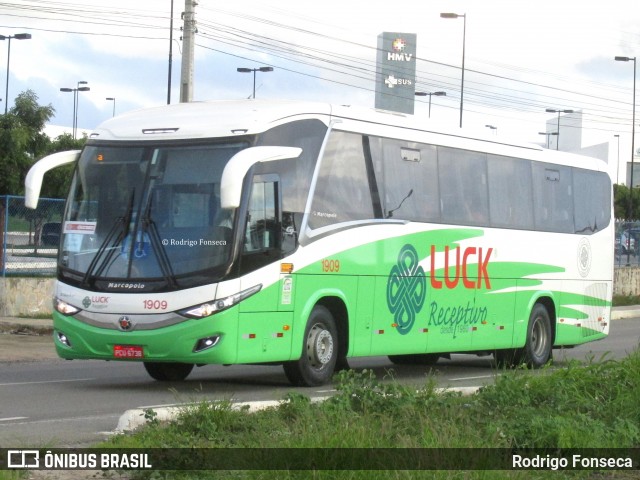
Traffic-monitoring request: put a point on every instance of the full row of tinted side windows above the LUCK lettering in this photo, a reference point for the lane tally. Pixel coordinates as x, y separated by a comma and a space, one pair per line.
427, 183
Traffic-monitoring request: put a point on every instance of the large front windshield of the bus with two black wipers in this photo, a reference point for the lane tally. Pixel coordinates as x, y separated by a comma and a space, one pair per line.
147, 217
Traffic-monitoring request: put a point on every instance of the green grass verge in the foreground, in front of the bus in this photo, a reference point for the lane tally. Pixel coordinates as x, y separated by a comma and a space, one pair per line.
580, 406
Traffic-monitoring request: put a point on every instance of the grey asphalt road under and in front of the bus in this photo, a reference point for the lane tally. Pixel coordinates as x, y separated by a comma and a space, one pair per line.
56, 403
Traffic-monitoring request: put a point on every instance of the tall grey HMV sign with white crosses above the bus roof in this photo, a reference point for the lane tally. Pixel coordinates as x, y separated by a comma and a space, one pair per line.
396, 71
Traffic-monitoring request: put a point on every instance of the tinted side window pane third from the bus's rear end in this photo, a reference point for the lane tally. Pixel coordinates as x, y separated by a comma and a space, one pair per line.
510, 194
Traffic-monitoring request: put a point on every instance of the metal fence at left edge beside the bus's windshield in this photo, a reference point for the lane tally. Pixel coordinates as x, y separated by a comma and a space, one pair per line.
29, 238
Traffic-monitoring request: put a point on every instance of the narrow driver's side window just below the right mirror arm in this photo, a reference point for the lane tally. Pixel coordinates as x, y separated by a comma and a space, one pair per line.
262, 234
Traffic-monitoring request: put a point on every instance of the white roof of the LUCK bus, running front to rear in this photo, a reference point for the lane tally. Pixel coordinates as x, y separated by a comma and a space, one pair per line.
211, 119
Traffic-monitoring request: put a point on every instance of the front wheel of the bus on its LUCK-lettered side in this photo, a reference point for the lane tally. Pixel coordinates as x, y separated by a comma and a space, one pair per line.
319, 351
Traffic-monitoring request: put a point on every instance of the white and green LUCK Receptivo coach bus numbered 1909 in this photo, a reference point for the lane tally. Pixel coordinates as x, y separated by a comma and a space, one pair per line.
306, 234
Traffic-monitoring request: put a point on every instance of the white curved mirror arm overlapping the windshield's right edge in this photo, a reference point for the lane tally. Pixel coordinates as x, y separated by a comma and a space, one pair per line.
235, 171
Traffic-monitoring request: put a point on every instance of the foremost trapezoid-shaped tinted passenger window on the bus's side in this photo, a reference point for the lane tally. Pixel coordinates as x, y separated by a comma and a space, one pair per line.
342, 190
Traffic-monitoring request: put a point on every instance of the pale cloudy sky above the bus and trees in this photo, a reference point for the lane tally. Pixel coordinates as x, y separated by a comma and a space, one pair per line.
521, 57
